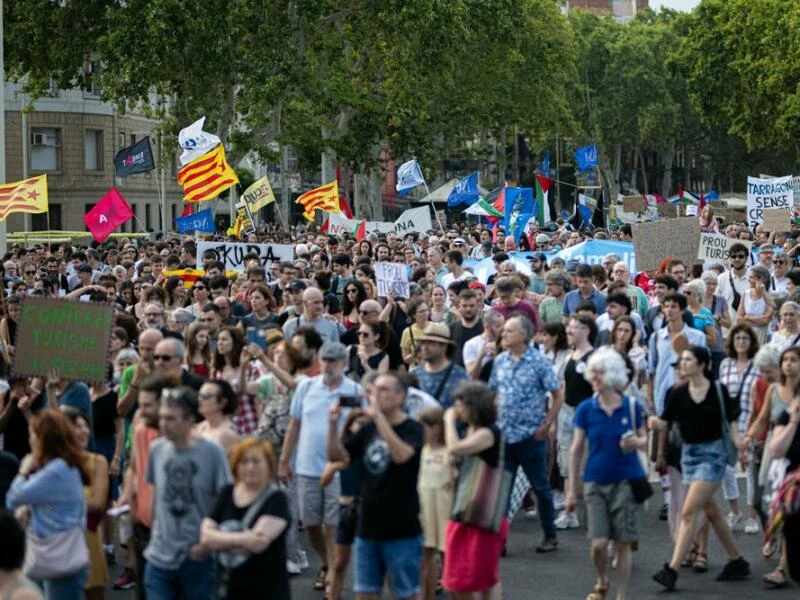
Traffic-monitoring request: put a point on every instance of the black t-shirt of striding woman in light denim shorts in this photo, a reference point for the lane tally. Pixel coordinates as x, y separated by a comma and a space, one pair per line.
699, 422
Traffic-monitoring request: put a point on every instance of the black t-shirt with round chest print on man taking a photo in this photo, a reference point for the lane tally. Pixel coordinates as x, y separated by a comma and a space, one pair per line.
389, 507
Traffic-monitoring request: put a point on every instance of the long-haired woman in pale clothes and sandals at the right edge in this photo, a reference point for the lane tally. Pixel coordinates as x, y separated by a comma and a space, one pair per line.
777, 399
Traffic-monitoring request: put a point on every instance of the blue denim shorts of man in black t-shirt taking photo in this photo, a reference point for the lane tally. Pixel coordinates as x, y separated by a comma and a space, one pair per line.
398, 560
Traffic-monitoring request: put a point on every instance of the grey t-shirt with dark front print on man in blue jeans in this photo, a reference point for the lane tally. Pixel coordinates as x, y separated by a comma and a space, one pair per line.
186, 485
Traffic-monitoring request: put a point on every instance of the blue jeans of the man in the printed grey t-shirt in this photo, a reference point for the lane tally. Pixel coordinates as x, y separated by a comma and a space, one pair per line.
193, 579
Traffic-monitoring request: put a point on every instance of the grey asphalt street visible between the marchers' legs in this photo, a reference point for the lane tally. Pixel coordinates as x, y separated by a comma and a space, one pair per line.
568, 573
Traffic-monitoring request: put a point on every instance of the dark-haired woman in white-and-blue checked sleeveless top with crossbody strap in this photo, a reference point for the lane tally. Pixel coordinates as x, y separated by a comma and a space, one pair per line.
738, 373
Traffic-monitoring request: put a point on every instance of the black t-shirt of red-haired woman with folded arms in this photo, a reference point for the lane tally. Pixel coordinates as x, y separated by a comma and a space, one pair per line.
266, 570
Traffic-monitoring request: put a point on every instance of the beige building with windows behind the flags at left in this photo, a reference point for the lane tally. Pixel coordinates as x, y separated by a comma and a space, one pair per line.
72, 136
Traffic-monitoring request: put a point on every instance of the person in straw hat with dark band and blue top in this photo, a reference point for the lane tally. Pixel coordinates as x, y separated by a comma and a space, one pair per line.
436, 373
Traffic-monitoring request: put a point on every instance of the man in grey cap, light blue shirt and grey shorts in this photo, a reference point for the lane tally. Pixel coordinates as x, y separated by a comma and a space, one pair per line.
307, 432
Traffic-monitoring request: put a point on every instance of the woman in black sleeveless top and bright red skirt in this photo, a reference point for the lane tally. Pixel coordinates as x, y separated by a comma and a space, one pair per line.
472, 554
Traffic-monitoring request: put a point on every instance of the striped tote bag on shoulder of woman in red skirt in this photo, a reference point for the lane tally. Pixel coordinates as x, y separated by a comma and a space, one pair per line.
482, 492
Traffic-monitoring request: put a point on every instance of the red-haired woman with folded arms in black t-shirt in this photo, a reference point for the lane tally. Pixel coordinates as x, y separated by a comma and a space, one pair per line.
261, 543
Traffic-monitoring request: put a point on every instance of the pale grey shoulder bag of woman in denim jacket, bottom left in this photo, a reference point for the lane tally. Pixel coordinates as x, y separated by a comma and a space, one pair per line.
57, 556
